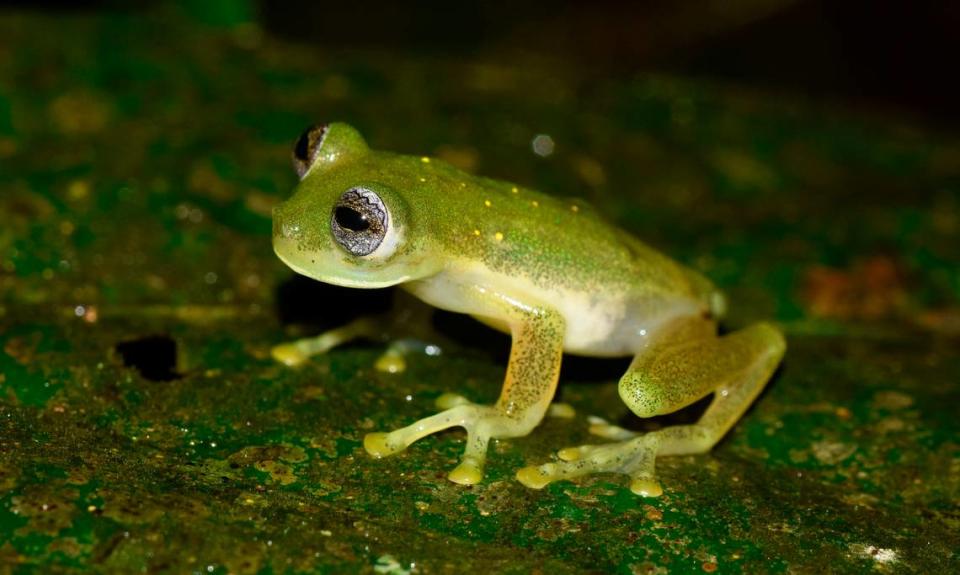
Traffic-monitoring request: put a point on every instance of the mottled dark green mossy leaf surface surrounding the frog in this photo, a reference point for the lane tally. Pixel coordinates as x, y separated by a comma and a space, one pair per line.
140, 156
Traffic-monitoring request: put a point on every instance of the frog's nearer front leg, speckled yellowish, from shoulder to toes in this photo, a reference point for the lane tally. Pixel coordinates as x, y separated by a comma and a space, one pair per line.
532, 373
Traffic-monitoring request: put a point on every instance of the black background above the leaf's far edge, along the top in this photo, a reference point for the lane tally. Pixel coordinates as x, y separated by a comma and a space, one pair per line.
888, 57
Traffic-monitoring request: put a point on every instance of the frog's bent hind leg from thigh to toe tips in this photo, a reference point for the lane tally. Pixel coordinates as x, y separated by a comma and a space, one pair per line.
685, 365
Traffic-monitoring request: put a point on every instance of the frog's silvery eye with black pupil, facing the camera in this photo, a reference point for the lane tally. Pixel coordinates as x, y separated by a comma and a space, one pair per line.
359, 221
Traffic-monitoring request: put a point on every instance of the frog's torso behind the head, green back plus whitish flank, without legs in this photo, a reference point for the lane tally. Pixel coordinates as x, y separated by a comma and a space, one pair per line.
612, 289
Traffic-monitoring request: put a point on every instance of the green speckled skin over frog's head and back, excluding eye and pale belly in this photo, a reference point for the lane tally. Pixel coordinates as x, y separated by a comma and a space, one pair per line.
449, 215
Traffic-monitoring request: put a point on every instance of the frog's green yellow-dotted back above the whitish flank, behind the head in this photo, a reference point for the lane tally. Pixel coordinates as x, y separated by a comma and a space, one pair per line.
562, 242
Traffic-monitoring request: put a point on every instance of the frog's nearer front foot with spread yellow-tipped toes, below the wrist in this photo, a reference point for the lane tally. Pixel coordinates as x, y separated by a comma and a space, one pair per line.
480, 421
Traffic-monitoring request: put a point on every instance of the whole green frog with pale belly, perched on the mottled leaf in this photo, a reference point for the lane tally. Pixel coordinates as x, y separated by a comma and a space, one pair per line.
549, 272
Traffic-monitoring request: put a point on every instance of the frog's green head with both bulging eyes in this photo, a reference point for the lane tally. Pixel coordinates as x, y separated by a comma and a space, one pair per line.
348, 223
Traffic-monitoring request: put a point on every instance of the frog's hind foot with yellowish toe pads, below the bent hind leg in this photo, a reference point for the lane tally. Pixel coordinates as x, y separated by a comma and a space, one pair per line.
634, 457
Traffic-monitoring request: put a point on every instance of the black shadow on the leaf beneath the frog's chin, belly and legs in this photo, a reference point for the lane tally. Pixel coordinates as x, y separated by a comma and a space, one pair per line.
318, 306
